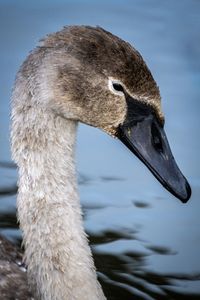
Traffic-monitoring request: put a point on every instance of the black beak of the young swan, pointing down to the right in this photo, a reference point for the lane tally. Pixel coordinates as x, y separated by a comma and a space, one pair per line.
145, 137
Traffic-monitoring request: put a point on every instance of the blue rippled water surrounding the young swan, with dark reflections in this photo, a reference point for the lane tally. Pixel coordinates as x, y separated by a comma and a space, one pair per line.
145, 242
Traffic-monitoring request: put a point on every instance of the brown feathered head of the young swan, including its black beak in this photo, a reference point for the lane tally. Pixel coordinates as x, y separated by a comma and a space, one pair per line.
104, 82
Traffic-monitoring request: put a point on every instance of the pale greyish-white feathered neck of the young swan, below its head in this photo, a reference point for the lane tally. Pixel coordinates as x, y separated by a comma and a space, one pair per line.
60, 265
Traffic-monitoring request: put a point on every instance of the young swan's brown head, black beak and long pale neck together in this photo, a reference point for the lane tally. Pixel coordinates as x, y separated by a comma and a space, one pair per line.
79, 74
